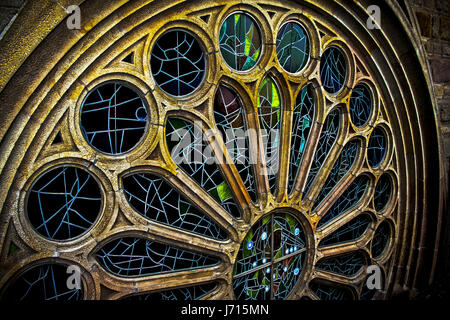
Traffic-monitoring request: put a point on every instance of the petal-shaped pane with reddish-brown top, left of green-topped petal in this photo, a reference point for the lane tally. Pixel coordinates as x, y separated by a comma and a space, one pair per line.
230, 120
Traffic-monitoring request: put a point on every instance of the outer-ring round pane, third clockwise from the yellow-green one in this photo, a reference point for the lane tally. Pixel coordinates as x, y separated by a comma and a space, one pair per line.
361, 104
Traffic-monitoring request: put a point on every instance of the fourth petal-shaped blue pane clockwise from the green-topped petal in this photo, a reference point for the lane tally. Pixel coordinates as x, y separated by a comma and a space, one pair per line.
351, 197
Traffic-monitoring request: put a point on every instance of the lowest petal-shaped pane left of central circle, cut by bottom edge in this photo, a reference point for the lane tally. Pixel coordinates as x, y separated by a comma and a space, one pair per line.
179, 294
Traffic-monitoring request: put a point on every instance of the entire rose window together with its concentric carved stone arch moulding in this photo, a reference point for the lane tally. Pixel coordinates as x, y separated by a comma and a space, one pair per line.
338, 170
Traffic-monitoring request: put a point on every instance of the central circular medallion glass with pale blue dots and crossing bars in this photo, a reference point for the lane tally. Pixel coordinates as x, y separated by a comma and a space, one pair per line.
271, 259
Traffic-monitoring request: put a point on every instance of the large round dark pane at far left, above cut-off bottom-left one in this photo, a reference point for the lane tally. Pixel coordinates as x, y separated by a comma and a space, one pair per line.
63, 203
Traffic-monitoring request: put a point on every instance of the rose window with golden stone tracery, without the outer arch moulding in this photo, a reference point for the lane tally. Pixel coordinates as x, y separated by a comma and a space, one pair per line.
159, 199
